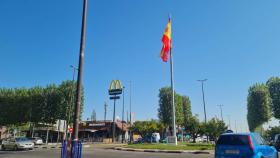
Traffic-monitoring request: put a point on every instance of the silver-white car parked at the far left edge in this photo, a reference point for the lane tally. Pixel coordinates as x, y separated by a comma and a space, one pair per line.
17, 143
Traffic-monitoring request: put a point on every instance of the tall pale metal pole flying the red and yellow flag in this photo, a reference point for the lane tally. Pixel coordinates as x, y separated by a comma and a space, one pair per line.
173, 94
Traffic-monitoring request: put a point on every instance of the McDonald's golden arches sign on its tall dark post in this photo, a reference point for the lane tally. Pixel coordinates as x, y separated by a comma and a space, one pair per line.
115, 90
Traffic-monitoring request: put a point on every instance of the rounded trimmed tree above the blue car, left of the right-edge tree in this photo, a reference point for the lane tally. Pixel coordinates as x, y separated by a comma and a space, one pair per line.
258, 106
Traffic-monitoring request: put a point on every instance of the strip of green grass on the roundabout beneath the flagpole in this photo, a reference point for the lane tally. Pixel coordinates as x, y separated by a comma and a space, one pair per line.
180, 146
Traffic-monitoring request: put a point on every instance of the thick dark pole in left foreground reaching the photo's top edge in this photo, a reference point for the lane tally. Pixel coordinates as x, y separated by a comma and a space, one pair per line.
80, 75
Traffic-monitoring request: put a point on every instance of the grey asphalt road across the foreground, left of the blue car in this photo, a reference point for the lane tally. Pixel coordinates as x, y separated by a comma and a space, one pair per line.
96, 153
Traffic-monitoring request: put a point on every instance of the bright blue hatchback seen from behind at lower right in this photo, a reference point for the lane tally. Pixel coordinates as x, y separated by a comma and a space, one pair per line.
237, 145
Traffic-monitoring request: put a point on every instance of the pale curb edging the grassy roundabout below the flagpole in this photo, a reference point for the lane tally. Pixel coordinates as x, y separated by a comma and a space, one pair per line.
164, 151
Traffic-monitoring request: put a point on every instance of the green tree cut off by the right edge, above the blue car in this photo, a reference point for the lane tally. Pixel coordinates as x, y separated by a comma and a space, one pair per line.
274, 89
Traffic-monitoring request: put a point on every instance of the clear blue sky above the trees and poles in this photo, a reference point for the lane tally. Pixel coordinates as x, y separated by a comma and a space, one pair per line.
233, 44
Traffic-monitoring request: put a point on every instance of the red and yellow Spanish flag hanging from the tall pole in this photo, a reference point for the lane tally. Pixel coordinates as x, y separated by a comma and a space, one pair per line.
166, 41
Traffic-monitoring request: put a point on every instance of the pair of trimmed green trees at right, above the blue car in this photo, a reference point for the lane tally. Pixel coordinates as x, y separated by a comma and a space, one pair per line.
263, 102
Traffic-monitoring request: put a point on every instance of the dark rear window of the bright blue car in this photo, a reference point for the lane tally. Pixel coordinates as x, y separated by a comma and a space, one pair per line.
233, 140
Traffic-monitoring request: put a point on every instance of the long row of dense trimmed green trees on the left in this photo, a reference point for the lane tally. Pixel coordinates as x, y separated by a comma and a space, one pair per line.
19, 106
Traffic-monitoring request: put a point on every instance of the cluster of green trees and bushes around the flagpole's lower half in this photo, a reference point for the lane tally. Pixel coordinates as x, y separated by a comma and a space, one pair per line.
189, 123
